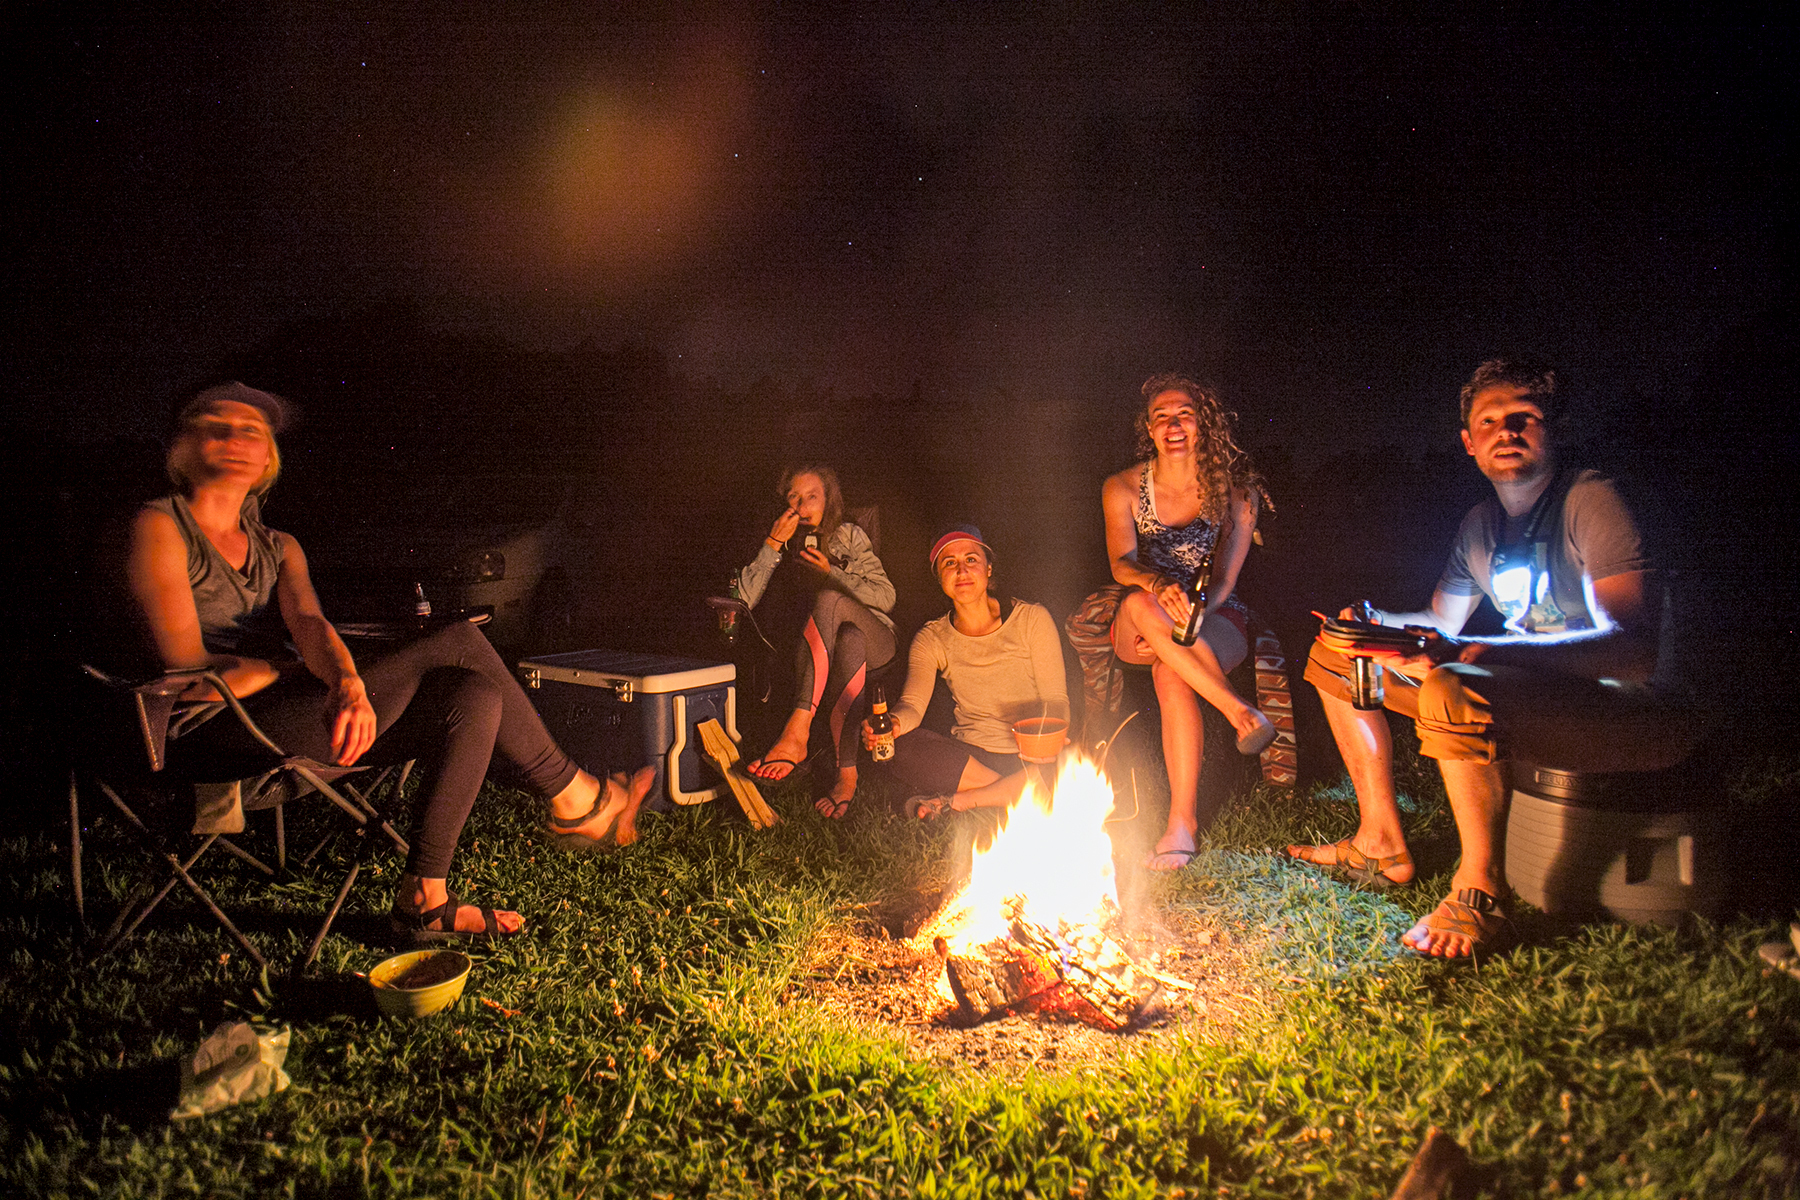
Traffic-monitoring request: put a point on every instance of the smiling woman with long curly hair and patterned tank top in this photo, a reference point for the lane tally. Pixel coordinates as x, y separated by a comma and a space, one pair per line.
1194, 497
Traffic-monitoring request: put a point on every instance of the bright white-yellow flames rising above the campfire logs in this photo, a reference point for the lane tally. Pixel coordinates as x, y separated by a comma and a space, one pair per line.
1054, 861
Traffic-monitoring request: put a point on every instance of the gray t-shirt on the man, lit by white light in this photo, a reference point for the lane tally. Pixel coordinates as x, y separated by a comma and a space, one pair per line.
1588, 535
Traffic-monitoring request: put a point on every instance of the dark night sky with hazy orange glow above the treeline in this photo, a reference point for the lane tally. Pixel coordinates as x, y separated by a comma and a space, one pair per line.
1335, 210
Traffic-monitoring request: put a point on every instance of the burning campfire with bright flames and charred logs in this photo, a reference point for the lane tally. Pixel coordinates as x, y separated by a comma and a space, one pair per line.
1036, 927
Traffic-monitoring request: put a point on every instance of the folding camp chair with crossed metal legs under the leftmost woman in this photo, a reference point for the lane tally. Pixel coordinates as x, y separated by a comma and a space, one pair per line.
143, 715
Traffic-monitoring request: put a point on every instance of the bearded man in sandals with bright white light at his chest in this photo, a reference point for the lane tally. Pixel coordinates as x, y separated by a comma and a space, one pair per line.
1567, 686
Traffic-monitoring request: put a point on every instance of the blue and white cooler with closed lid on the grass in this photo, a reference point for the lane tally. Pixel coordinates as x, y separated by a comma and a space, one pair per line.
618, 710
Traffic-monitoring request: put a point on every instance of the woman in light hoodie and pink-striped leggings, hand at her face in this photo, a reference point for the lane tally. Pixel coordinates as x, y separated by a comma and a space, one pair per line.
847, 632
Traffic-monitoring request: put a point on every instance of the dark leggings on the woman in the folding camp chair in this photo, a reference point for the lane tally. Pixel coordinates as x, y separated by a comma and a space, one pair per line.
445, 701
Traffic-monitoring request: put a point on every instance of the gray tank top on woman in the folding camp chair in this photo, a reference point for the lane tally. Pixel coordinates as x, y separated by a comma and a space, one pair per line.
238, 613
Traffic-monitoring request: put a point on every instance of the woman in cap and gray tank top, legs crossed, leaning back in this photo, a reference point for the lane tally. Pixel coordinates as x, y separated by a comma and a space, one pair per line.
219, 589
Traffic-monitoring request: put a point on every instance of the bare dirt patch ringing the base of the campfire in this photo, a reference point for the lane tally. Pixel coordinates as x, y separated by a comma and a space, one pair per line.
863, 976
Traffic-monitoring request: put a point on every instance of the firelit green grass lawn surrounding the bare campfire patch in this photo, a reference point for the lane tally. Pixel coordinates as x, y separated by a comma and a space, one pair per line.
643, 1041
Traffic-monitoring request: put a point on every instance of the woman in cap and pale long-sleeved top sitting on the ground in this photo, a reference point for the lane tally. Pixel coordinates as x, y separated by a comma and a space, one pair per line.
1002, 661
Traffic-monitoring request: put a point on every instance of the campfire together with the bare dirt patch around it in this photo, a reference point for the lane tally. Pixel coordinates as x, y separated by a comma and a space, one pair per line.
1034, 958
